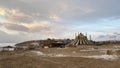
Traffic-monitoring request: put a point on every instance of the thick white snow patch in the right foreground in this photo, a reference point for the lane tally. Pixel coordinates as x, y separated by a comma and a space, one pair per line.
105, 57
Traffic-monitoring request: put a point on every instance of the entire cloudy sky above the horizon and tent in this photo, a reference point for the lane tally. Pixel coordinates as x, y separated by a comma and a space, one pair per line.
22, 20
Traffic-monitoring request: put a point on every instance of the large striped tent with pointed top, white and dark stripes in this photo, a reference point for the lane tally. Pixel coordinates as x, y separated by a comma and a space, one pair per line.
81, 39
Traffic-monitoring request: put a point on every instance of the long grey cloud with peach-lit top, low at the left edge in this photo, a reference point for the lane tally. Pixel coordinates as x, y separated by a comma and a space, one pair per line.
43, 26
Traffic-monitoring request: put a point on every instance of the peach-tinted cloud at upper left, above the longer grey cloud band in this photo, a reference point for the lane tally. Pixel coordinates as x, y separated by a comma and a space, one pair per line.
15, 16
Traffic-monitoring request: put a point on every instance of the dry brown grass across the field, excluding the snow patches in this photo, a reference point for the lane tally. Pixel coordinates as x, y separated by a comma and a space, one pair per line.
26, 59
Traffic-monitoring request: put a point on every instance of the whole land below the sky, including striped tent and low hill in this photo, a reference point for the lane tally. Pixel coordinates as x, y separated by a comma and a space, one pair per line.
78, 53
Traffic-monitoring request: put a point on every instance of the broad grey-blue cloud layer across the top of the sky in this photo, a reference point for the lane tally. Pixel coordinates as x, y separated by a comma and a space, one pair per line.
66, 9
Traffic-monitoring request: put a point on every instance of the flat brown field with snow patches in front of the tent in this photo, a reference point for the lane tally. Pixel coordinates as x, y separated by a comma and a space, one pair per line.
80, 57
